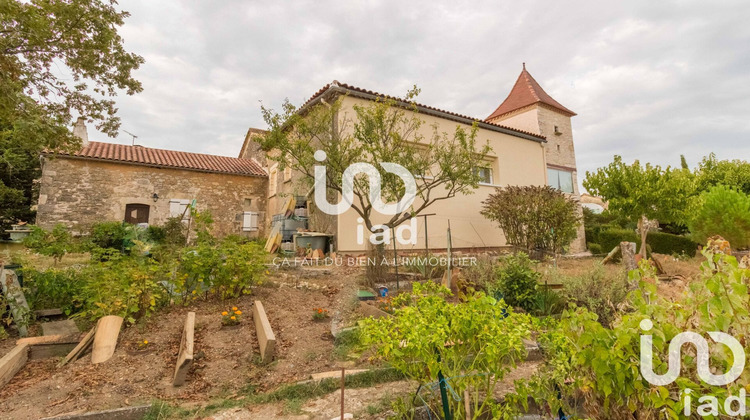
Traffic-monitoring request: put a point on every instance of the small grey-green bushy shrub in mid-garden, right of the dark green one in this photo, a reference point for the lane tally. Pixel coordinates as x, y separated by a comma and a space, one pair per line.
598, 291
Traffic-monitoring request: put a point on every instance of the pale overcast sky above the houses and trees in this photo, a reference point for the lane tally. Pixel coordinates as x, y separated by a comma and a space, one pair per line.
649, 80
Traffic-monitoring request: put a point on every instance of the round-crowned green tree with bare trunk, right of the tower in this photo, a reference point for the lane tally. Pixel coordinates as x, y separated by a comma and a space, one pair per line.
639, 193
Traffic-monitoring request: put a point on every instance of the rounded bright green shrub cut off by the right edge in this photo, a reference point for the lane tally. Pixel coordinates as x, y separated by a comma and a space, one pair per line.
722, 211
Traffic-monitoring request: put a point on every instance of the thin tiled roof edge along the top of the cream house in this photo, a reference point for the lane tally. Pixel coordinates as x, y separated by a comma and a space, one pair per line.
368, 94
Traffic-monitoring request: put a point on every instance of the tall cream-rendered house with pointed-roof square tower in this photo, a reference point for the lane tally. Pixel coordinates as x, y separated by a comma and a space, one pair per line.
532, 141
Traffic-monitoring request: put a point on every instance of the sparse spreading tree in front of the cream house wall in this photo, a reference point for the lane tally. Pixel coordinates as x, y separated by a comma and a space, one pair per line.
383, 130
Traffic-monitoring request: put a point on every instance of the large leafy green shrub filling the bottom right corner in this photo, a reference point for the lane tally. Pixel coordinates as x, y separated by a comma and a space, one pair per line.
597, 369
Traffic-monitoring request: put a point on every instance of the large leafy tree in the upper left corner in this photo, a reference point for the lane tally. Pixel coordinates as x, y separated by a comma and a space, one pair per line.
57, 59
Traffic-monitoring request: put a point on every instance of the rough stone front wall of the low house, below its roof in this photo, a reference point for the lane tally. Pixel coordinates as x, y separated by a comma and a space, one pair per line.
78, 193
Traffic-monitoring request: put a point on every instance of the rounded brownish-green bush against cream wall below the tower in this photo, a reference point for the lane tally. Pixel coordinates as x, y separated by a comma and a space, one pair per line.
533, 218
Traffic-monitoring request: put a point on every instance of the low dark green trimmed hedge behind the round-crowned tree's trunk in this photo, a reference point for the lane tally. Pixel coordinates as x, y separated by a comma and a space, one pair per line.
659, 242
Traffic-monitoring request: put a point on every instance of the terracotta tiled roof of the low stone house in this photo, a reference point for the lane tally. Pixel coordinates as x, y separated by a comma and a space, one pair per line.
160, 158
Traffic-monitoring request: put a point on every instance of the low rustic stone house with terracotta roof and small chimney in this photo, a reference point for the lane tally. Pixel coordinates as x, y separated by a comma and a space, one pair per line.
136, 184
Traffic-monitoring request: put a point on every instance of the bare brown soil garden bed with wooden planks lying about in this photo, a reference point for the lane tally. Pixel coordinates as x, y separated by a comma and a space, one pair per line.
226, 358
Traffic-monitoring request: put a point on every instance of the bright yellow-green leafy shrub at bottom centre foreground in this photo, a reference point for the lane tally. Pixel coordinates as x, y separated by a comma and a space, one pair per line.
428, 336
